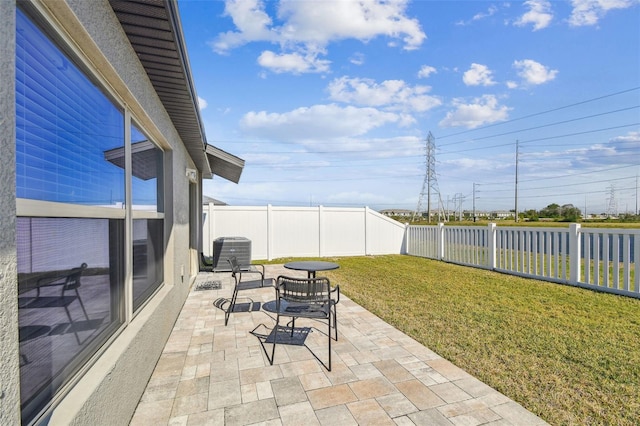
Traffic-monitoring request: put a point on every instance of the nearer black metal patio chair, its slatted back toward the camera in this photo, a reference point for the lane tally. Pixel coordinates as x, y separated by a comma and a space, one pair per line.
306, 298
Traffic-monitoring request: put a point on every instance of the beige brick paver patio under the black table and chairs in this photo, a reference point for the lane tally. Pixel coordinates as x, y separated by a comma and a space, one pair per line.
210, 374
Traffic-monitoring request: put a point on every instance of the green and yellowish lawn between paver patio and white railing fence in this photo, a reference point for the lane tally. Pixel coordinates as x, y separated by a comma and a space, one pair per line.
571, 356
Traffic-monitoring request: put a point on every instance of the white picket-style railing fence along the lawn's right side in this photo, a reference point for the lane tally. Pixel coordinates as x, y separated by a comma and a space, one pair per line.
596, 258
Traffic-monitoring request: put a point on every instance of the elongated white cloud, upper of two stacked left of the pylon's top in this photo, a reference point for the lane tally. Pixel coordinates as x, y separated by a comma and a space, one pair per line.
392, 94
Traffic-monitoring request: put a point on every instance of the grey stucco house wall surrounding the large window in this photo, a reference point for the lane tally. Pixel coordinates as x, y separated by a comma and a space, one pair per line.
110, 388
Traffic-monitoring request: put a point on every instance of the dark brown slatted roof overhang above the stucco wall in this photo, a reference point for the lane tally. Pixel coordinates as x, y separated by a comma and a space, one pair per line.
155, 33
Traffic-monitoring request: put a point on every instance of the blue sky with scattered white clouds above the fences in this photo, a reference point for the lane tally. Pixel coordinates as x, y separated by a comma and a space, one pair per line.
330, 102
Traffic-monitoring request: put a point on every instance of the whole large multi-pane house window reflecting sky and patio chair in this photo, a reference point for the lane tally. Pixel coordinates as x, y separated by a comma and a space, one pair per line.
71, 149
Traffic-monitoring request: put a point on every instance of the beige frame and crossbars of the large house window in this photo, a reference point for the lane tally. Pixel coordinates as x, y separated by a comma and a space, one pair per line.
25, 207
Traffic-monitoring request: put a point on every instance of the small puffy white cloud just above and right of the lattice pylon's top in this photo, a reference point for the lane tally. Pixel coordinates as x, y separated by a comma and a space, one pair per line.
484, 110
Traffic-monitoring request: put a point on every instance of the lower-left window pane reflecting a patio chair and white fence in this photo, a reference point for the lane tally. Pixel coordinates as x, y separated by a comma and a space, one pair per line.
70, 279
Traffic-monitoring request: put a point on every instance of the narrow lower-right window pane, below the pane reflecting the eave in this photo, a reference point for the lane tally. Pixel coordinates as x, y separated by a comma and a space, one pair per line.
147, 258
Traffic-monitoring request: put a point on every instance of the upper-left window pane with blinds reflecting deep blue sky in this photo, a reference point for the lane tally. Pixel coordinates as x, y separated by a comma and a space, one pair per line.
64, 124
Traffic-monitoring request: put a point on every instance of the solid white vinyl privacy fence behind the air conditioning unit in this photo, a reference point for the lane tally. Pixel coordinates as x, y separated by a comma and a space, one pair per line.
277, 232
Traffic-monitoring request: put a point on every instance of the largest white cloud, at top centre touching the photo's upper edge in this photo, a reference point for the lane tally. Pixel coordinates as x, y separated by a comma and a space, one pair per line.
308, 27
